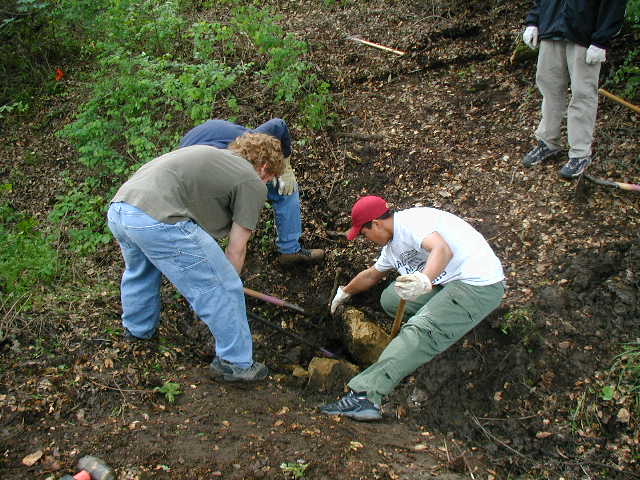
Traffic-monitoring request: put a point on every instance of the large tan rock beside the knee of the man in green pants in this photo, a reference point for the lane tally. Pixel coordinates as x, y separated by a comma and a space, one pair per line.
365, 340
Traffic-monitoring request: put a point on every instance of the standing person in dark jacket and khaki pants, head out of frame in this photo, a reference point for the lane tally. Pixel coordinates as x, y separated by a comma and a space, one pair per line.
574, 36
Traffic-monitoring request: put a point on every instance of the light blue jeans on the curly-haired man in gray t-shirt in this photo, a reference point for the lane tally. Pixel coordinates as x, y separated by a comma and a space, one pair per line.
194, 262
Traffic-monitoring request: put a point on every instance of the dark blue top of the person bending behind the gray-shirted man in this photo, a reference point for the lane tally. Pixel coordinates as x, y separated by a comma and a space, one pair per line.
220, 133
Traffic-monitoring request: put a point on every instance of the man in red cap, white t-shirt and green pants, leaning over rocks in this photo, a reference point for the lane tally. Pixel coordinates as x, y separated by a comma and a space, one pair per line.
449, 277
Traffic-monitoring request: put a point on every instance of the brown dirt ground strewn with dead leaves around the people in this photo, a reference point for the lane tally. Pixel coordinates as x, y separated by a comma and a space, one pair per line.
522, 396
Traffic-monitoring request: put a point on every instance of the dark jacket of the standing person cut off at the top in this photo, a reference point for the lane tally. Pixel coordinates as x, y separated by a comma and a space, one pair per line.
585, 22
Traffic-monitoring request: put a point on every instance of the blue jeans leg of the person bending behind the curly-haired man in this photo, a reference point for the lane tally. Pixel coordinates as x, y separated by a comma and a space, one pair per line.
288, 219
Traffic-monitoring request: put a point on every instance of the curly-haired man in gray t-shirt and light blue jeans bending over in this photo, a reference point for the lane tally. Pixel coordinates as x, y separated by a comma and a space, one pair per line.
167, 218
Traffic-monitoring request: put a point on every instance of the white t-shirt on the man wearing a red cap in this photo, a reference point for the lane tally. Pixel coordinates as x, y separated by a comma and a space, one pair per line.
473, 259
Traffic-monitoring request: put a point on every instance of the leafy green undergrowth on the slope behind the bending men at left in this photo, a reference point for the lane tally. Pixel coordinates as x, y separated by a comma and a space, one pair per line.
150, 74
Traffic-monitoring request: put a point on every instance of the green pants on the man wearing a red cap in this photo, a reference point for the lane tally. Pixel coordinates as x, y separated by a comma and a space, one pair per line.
437, 320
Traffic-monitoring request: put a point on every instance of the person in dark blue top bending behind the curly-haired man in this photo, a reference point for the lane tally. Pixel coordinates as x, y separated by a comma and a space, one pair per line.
282, 192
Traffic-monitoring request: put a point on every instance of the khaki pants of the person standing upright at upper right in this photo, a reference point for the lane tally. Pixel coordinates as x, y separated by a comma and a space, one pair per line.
561, 62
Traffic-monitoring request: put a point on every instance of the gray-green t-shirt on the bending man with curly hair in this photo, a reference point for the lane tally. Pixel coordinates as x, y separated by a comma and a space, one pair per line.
210, 186
